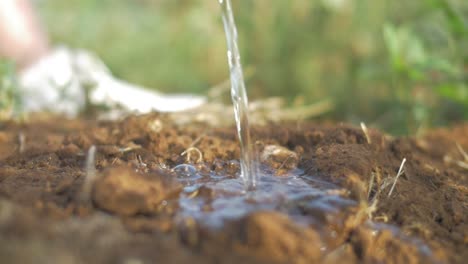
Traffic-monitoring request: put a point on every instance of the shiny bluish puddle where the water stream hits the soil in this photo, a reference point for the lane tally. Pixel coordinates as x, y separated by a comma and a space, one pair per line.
213, 198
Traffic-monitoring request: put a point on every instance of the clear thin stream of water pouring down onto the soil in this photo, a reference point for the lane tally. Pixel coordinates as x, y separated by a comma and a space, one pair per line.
239, 98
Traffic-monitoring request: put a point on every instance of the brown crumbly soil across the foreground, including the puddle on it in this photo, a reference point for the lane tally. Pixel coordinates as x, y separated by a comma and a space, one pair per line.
163, 192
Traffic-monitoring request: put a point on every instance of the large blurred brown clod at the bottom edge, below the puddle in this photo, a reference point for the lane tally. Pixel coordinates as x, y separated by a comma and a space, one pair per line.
268, 237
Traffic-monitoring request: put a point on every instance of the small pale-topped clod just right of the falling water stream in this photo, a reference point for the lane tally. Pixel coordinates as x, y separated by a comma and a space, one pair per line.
279, 158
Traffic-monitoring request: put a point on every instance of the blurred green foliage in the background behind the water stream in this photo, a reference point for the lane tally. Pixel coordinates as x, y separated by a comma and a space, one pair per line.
397, 64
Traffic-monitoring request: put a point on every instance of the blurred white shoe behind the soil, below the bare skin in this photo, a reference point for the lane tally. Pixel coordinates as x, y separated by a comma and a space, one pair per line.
58, 83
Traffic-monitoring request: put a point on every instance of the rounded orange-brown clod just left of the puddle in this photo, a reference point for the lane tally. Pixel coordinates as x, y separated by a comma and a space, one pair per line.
125, 192
